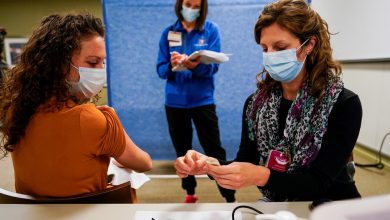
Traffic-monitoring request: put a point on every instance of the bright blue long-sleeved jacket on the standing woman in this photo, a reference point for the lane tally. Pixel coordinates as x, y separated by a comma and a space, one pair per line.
197, 90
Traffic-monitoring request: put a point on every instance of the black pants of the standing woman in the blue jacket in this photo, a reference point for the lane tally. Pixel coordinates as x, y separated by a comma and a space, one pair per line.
206, 123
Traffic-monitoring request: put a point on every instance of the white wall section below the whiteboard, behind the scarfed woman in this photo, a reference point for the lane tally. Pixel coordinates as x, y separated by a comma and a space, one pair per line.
371, 81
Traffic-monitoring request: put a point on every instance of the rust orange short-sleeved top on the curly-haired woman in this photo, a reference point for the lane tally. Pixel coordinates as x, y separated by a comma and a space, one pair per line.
67, 152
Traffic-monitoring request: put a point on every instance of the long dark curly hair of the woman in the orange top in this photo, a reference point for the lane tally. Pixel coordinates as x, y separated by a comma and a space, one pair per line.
38, 79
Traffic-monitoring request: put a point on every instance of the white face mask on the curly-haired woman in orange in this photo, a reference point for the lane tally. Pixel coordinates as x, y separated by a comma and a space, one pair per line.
91, 81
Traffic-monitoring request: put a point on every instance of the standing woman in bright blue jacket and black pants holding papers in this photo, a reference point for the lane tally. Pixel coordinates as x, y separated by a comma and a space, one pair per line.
189, 94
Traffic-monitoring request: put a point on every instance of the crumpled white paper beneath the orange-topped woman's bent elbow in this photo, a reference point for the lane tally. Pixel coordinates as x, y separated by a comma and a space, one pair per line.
122, 175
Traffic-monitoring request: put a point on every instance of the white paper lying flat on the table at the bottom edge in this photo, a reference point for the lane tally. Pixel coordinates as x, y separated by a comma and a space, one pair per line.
182, 215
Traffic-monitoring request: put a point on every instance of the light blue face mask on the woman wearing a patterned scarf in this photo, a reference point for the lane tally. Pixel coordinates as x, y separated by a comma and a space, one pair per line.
283, 66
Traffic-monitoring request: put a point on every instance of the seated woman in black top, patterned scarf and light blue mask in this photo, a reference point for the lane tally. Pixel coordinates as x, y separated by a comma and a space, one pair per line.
300, 126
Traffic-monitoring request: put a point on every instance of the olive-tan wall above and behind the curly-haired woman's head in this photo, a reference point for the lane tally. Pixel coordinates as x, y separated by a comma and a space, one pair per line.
21, 17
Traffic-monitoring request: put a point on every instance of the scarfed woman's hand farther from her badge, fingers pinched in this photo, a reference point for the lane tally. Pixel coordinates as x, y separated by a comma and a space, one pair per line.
193, 163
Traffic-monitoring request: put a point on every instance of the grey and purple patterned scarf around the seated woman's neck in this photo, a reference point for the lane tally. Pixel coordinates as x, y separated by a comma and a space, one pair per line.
306, 124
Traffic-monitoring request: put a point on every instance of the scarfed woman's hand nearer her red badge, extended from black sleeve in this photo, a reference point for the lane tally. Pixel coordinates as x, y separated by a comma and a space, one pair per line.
238, 175
